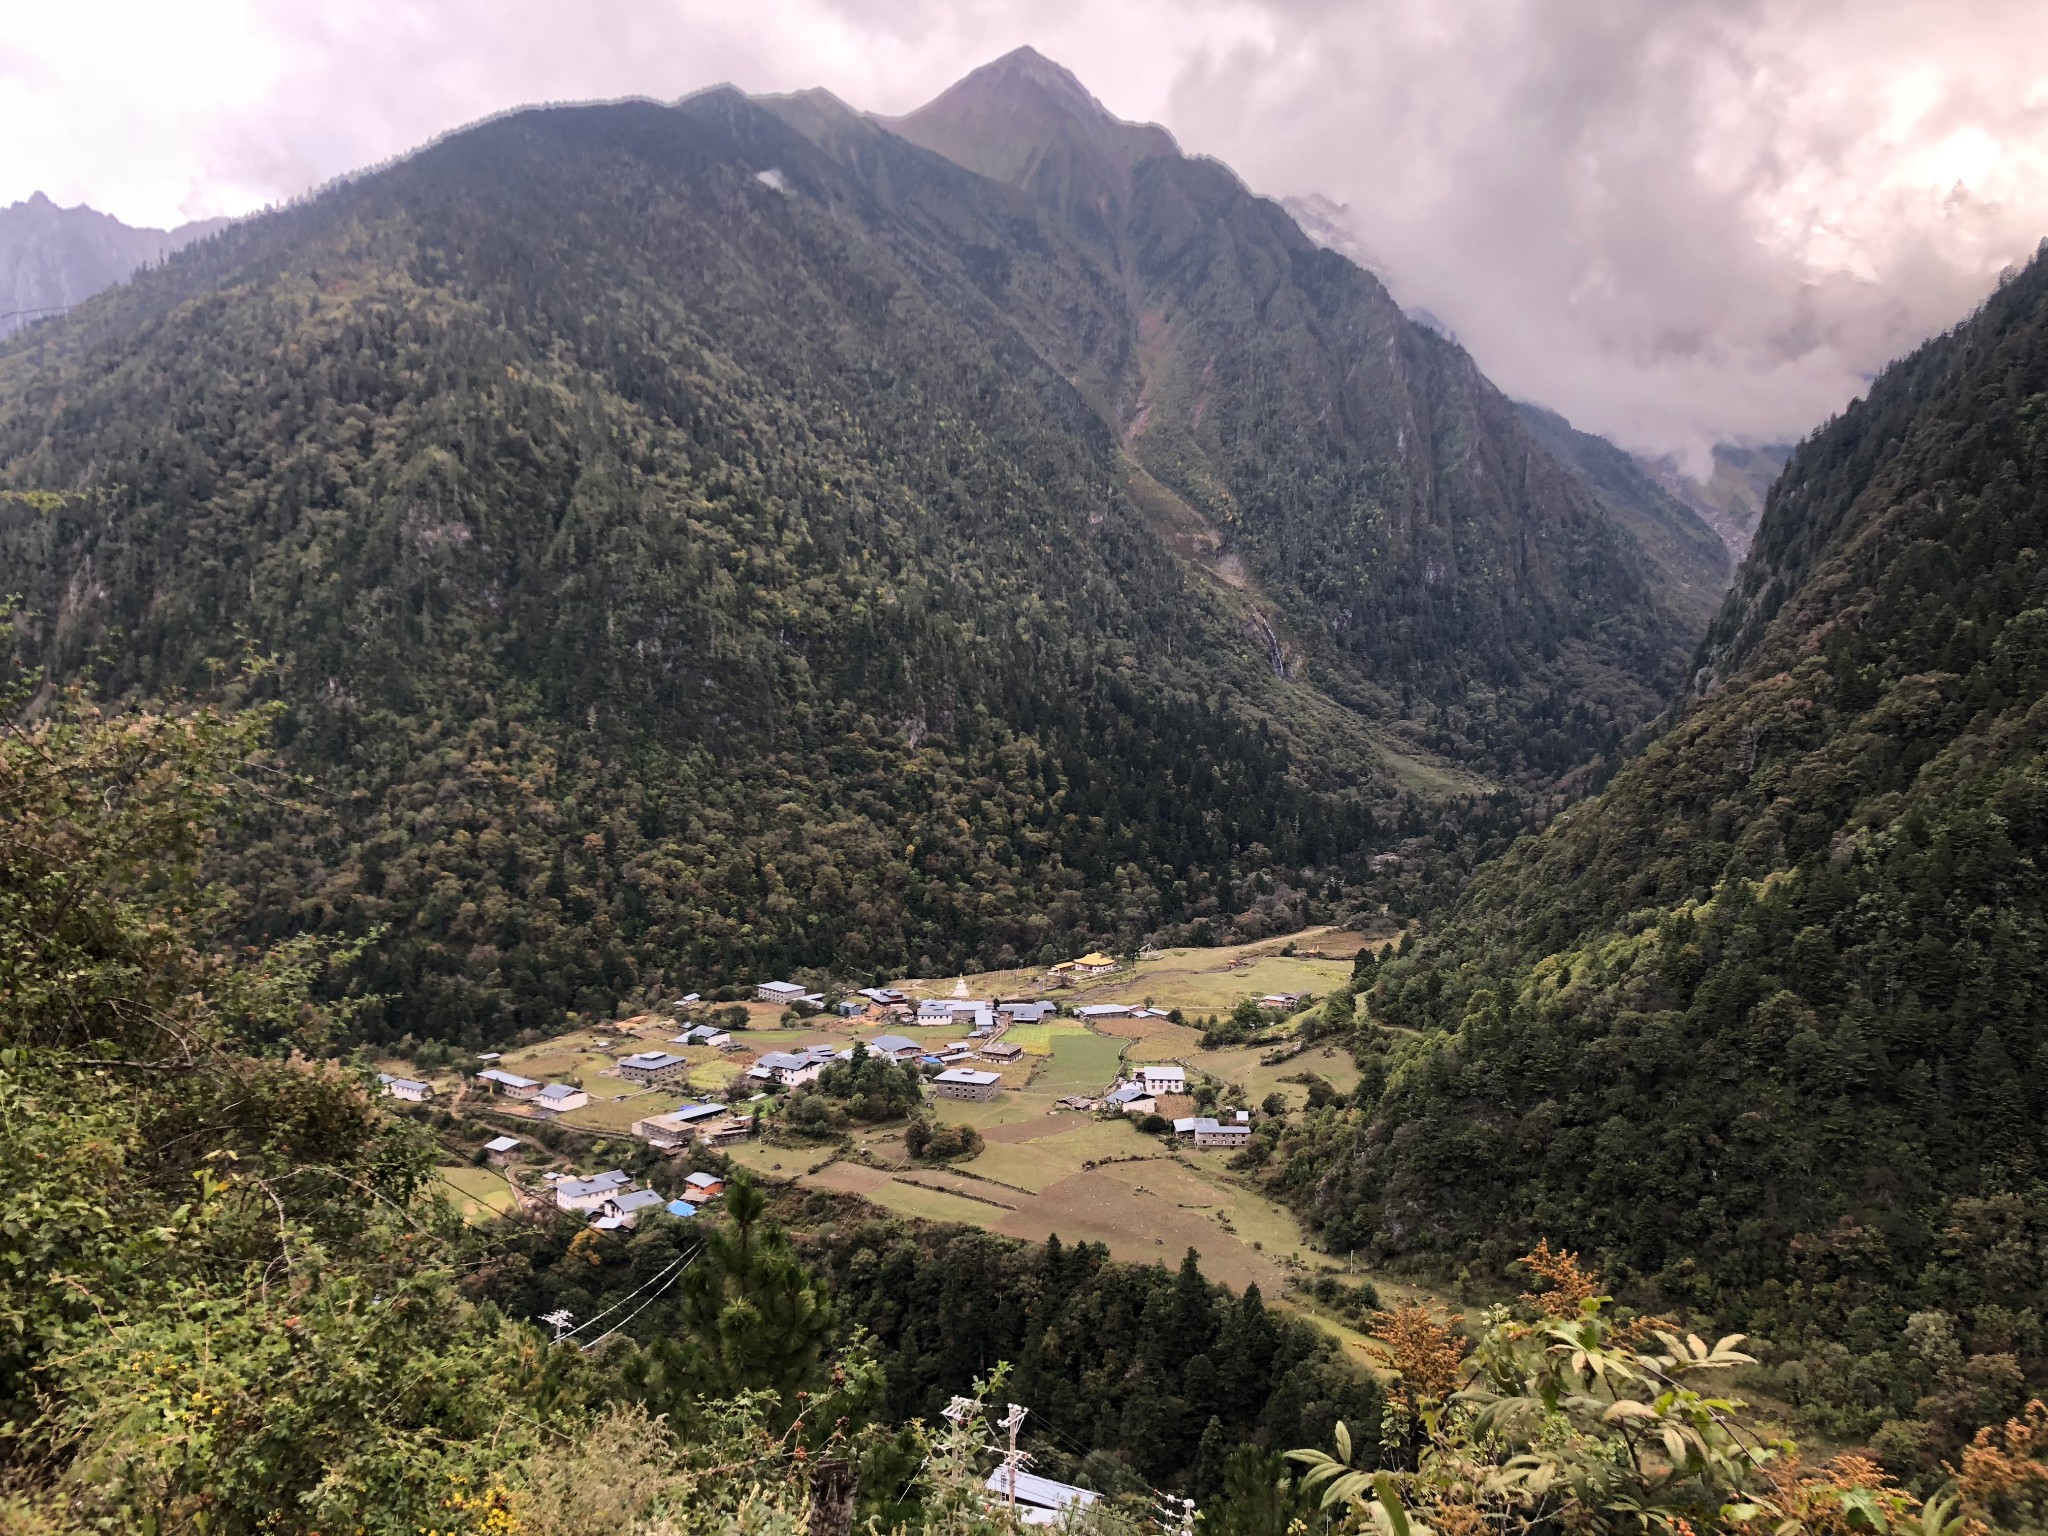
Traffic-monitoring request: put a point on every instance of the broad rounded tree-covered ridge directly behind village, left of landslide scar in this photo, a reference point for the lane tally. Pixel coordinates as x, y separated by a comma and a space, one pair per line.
675, 572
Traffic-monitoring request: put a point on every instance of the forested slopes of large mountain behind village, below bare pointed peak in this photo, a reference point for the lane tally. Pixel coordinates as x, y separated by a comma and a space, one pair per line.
689, 560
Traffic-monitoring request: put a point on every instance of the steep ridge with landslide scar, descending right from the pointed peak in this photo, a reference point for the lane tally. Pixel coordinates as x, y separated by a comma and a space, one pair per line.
1435, 566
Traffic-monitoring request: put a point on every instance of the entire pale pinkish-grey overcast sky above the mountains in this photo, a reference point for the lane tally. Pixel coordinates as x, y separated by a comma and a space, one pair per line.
1672, 220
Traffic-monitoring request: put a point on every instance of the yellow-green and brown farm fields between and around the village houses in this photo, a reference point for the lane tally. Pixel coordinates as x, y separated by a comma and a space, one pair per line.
1046, 1168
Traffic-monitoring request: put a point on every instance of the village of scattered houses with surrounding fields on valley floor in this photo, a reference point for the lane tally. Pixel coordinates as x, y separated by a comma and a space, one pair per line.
1082, 1099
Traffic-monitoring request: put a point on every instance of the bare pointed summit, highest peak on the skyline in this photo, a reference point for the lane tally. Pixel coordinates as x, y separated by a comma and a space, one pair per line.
1015, 114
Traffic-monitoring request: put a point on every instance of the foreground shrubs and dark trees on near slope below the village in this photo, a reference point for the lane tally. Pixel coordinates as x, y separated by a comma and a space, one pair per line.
239, 1308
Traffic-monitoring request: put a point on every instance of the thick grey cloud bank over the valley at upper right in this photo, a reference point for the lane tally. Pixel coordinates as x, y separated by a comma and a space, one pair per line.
1674, 222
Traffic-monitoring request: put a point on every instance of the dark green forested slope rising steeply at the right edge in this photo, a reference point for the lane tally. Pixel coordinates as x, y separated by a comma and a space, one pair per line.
1764, 1023
